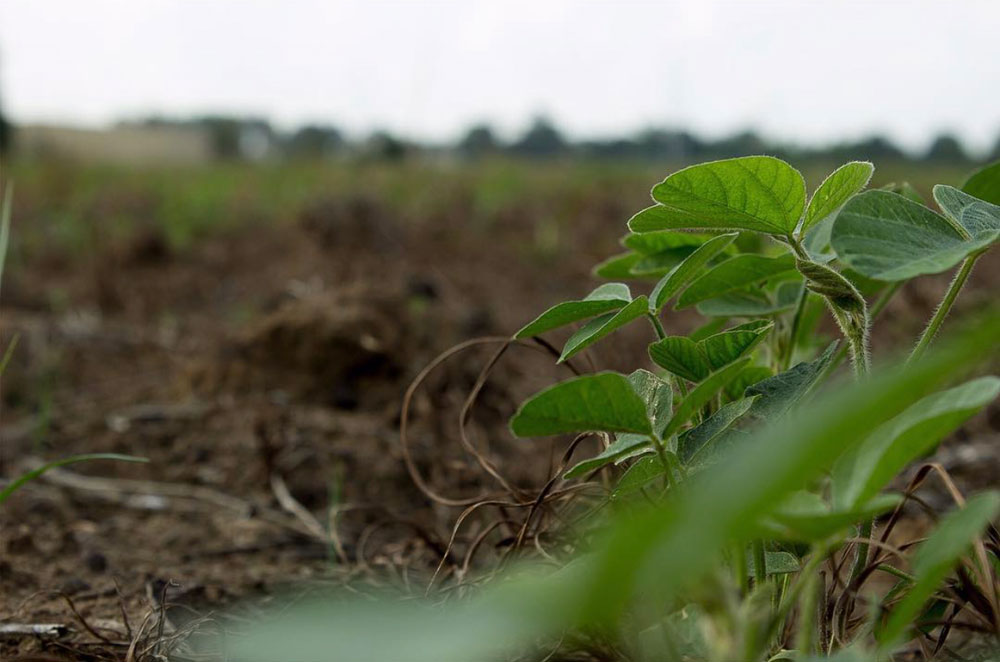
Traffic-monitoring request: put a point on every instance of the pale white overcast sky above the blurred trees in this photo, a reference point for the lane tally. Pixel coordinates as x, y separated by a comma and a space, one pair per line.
811, 70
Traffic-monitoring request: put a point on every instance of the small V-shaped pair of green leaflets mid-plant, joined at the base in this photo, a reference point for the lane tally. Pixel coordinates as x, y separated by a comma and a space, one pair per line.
695, 360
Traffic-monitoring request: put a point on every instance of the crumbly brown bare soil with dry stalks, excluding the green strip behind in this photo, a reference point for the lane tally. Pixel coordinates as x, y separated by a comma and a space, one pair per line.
261, 372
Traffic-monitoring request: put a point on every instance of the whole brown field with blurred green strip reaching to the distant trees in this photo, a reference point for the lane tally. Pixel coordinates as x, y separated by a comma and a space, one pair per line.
252, 330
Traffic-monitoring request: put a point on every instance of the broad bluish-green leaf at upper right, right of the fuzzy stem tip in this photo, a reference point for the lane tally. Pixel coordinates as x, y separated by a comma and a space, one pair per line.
885, 236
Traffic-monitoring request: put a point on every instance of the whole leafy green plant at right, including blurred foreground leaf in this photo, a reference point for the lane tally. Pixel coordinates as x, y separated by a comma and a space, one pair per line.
735, 481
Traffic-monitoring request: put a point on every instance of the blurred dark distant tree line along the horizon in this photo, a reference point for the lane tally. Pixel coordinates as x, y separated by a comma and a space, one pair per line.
249, 138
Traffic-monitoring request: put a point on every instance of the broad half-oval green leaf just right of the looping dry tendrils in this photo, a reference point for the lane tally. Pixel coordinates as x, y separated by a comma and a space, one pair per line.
602, 402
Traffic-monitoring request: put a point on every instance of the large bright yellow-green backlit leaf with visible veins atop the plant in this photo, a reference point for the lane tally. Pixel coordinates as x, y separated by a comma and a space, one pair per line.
758, 193
